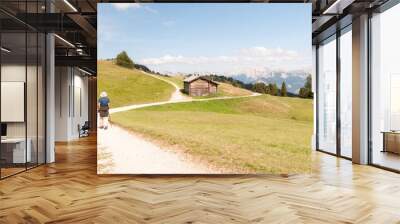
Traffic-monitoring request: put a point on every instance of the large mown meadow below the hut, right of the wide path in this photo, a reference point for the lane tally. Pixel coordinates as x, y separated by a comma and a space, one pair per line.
263, 134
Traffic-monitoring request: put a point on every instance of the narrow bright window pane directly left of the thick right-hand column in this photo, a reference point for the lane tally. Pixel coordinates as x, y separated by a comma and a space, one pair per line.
346, 94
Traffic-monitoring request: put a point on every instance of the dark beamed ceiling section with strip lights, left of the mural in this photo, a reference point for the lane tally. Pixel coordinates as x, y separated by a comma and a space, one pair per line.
73, 21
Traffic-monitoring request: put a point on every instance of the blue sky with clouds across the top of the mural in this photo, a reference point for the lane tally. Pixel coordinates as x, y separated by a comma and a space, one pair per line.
203, 38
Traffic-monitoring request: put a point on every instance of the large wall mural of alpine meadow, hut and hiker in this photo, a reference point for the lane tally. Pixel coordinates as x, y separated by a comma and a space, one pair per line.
204, 88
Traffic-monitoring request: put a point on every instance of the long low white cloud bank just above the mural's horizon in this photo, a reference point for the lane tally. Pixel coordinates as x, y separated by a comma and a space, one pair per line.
253, 61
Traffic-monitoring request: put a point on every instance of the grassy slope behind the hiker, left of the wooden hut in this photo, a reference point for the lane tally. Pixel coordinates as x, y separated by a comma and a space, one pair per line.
130, 86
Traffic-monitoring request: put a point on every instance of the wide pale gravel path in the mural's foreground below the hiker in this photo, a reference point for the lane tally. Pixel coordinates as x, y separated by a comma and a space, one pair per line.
131, 154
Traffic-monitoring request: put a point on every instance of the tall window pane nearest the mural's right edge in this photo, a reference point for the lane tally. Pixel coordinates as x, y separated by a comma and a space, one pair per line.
327, 96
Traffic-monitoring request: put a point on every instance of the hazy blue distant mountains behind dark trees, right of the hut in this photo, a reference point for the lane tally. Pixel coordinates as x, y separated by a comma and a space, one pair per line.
294, 81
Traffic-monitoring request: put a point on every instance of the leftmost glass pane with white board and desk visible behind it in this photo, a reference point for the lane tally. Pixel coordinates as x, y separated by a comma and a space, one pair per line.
14, 153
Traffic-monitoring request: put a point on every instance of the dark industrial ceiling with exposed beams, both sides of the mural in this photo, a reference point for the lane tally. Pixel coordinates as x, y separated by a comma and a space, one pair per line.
75, 22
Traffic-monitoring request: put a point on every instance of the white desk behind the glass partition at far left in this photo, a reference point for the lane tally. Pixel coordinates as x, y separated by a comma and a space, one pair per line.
18, 150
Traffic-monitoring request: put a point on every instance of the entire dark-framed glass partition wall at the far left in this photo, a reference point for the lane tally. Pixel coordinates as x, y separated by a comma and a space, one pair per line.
22, 64
